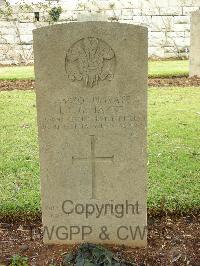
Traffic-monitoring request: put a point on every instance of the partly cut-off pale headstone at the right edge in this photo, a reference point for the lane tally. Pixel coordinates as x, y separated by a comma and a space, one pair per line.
195, 44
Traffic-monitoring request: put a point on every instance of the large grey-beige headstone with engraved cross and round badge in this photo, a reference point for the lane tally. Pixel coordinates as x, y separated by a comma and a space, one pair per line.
91, 82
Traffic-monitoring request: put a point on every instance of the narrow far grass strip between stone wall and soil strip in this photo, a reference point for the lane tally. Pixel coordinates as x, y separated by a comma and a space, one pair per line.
156, 69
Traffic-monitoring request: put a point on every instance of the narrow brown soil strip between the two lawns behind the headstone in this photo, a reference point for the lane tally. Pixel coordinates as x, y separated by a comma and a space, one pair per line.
8, 85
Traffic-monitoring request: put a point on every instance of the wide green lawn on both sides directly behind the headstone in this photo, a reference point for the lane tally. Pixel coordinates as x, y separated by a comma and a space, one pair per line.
174, 150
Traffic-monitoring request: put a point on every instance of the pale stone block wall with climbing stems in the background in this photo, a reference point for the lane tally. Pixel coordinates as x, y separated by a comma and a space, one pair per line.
168, 22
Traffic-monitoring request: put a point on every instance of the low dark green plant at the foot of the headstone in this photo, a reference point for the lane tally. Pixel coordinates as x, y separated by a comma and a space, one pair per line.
93, 255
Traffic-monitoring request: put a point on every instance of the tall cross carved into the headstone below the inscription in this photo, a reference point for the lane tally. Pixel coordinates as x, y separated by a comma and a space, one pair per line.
93, 159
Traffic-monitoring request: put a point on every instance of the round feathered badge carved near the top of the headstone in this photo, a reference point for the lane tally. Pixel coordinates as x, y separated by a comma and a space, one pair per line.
90, 60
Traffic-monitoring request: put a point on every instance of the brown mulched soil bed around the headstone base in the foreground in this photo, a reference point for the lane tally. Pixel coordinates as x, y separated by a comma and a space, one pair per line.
171, 241
